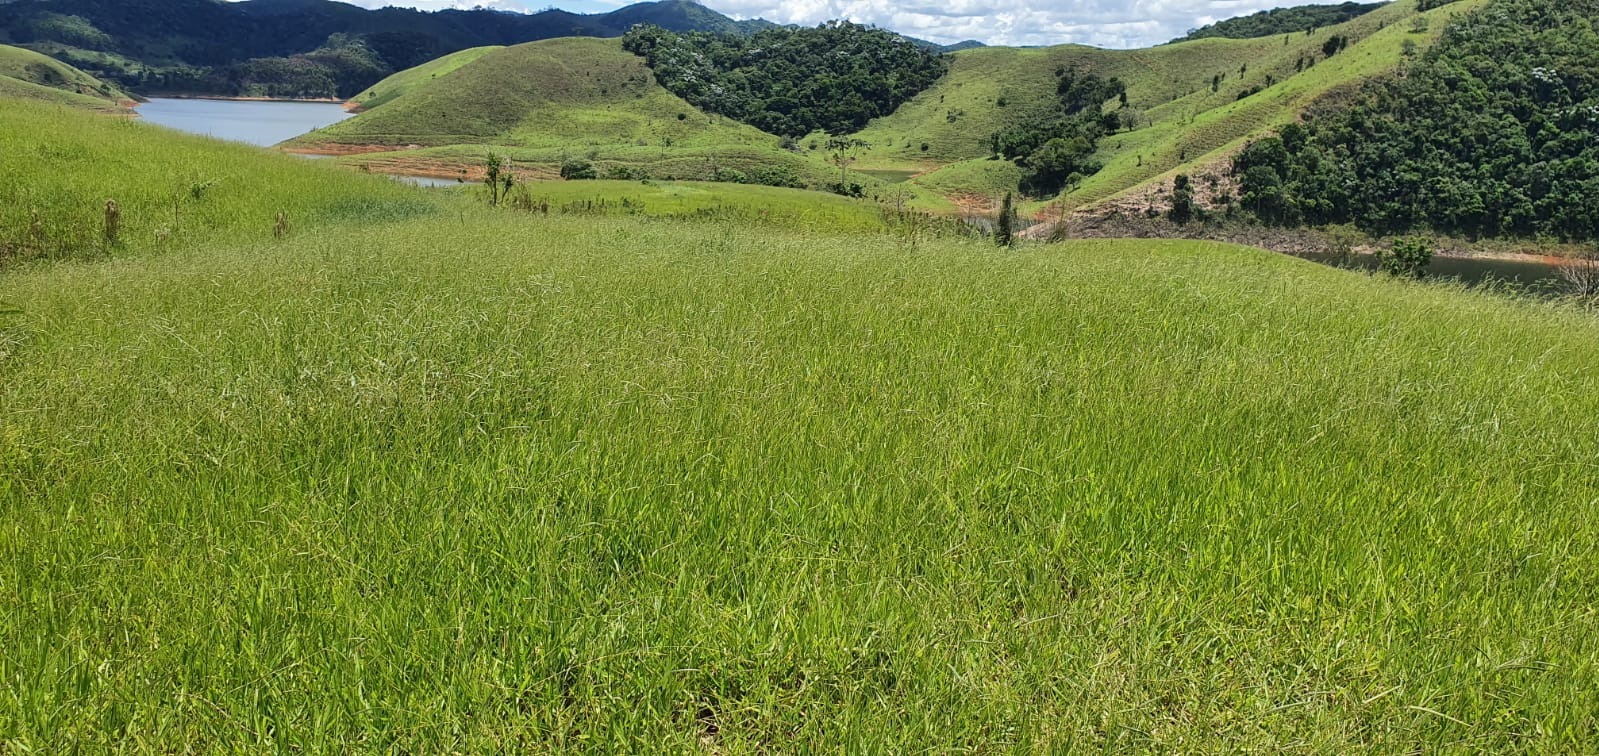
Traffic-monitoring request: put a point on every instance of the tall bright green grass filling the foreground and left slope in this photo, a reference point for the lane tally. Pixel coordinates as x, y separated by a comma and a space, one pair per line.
485, 482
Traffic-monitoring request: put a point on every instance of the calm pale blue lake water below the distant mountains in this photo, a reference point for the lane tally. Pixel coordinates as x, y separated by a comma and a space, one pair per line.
265, 124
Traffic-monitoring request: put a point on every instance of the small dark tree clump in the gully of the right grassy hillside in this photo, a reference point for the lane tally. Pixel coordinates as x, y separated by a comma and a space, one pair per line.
1056, 146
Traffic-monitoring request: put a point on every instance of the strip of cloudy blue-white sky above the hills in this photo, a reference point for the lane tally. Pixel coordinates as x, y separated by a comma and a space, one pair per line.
1101, 23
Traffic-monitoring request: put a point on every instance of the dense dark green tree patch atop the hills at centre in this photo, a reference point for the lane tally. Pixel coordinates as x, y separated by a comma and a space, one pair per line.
792, 82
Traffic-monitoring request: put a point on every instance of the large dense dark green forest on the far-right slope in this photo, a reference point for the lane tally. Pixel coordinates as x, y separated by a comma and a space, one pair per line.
1493, 133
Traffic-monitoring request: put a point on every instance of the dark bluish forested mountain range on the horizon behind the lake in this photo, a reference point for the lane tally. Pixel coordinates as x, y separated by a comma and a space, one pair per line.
298, 47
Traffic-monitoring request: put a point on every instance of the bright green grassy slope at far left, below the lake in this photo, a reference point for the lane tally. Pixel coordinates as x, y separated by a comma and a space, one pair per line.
172, 189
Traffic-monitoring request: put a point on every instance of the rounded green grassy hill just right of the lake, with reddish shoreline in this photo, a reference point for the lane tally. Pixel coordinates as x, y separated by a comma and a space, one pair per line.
544, 105
